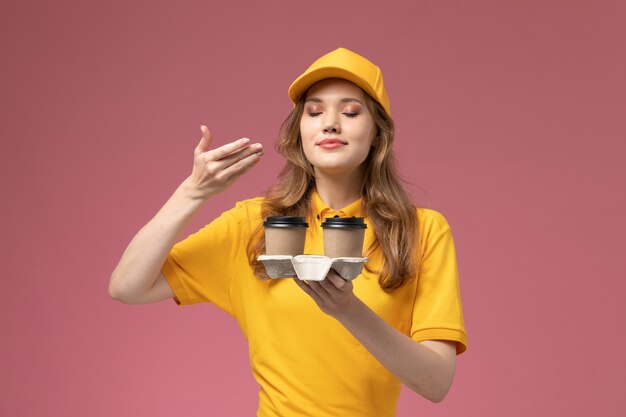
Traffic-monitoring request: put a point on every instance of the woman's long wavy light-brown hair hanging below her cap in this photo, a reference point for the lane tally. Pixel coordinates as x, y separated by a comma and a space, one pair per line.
389, 208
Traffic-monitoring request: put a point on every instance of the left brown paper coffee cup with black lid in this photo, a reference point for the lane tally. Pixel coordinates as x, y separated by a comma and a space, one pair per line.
285, 235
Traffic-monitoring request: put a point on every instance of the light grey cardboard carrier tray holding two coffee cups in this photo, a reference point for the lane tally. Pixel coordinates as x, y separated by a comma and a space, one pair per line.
311, 267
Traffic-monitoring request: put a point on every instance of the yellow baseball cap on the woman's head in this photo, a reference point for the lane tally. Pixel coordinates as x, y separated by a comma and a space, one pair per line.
345, 64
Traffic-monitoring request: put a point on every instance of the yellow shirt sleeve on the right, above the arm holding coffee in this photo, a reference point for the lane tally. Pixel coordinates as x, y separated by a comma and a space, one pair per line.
437, 312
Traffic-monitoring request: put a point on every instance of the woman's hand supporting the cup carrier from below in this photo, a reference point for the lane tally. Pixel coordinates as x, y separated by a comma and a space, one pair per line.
333, 294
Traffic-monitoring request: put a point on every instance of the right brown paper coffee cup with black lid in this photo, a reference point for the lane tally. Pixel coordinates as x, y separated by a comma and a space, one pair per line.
343, 236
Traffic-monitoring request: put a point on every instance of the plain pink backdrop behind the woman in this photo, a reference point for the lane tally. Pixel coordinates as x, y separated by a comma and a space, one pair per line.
510, 121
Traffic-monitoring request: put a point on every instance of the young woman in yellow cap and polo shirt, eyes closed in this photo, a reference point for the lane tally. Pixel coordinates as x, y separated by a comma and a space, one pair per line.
322, 348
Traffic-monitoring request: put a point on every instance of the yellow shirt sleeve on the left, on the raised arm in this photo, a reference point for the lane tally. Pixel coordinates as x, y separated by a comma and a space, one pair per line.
201, 267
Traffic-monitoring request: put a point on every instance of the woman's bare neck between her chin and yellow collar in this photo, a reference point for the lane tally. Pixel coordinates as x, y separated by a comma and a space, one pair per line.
338, 191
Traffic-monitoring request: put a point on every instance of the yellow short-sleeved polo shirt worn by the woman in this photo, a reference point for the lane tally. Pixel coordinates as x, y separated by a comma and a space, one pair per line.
304, 361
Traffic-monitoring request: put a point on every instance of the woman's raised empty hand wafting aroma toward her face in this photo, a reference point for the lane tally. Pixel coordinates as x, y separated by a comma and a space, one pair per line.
216, 169
